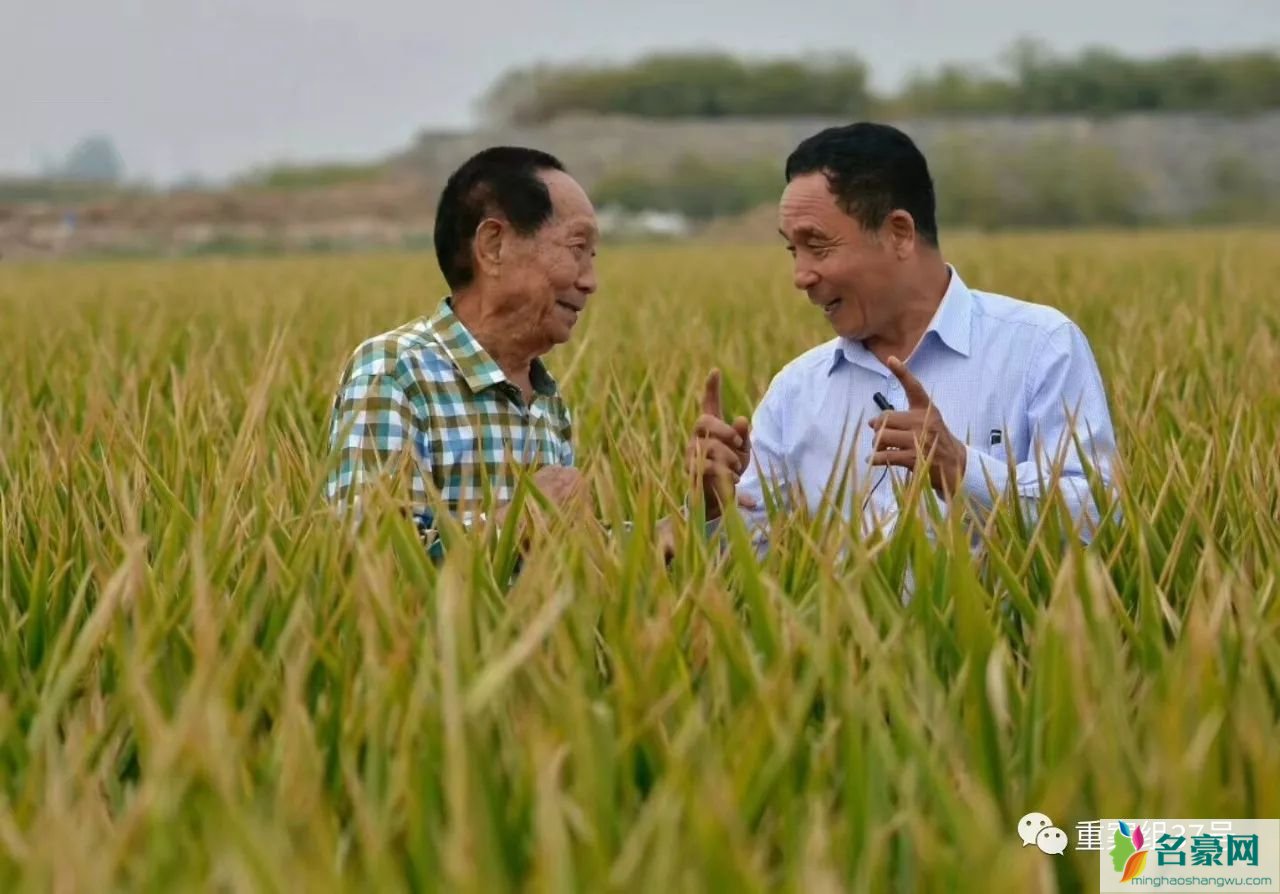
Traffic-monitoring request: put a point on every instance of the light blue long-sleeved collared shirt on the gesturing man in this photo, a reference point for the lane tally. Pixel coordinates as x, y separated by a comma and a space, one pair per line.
1012, 380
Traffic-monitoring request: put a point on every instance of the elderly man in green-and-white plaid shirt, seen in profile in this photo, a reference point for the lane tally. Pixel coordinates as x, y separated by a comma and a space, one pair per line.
461, 399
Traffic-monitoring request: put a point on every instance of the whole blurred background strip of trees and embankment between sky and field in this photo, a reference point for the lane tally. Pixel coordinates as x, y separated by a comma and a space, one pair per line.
697, 142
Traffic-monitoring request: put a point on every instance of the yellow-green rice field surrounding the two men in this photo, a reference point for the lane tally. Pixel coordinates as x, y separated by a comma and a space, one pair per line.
208, 683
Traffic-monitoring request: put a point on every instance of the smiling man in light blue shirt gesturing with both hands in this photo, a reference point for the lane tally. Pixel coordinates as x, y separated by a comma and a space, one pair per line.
996, 394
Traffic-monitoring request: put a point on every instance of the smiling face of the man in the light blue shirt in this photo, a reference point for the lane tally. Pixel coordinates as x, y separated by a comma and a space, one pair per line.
849, 273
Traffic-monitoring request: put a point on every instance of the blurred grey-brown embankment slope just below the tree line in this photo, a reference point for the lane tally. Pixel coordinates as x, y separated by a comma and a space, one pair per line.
1173, 153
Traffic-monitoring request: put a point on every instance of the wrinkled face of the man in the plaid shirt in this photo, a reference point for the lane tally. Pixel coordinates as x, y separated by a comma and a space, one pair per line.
548, 277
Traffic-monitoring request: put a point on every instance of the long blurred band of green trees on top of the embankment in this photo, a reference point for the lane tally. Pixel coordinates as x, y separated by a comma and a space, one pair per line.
1034, 81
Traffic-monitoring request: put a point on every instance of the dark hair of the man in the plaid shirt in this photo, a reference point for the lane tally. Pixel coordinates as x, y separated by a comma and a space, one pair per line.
501, 181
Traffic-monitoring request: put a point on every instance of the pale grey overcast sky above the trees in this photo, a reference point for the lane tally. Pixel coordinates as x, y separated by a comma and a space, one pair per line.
213, 88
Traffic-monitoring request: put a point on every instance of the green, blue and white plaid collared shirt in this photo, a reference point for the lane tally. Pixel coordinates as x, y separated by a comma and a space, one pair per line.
428, 393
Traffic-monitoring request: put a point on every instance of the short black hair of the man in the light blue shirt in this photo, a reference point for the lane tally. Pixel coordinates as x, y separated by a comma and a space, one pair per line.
872, 170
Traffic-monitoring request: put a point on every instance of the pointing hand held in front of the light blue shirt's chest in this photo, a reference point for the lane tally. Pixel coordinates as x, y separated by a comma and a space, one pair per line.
909, 437
